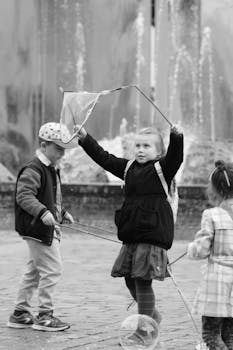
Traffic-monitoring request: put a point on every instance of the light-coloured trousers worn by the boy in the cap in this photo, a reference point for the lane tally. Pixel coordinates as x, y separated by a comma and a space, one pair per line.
43, 271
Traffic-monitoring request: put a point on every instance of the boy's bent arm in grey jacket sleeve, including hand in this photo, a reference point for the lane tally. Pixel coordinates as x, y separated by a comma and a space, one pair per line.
27, 189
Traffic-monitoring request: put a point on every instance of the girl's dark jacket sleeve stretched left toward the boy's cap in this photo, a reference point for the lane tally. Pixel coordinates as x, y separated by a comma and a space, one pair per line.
109, 162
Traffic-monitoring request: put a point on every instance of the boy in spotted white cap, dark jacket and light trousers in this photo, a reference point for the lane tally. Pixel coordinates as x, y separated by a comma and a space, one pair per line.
38, 207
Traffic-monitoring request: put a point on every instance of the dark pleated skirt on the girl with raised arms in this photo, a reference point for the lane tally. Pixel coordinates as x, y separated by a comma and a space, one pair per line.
141, 260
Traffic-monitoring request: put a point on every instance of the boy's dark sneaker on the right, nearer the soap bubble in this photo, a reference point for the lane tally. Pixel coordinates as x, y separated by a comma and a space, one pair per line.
49, 323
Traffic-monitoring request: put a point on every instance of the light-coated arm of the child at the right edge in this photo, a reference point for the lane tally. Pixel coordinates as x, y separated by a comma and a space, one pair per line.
201, 246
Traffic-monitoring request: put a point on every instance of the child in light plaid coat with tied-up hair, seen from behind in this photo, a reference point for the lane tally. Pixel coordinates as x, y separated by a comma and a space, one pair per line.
214, 299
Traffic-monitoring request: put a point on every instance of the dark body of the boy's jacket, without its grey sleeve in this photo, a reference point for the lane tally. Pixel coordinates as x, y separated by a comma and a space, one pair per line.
27, 225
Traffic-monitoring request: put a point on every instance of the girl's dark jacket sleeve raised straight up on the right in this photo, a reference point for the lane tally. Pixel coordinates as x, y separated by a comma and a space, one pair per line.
174, 156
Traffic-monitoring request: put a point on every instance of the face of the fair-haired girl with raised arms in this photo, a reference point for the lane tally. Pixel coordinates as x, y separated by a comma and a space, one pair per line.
146, 148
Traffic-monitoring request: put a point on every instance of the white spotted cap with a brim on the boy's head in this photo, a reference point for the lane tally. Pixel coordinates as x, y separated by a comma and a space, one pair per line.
52, 132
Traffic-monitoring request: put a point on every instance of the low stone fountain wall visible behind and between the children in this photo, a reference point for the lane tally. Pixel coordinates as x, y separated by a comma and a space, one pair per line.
95, 204
